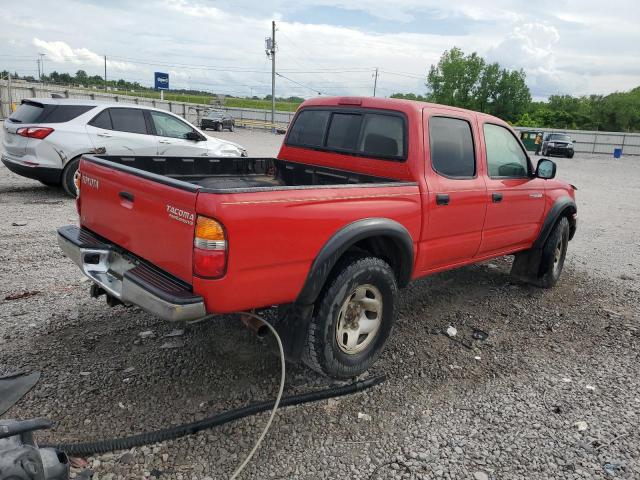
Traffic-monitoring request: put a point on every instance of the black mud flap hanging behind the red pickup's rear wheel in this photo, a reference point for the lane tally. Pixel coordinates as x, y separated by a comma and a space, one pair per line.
293, 326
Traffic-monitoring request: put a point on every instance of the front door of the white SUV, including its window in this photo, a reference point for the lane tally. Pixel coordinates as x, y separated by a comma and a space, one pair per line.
171, 133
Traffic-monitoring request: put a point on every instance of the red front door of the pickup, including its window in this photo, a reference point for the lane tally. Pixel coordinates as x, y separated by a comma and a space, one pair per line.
515, 198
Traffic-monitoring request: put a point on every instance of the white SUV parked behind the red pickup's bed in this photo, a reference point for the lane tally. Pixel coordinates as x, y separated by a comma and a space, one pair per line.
44, 138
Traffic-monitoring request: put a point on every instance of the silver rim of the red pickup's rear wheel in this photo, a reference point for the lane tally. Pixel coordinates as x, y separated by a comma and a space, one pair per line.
359, 319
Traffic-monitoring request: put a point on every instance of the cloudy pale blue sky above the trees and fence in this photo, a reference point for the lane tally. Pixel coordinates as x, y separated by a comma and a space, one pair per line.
331, 47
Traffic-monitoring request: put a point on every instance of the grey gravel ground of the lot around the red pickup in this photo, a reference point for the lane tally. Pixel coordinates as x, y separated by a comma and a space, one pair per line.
511, 406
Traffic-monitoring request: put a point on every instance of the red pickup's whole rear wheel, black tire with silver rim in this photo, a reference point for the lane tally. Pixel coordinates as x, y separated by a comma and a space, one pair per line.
321, 351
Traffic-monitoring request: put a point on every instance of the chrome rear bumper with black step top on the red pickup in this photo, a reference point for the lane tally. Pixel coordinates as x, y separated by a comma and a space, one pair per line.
129, 280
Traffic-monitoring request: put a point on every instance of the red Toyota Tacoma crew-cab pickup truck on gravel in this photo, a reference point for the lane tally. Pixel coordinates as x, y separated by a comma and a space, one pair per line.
365, 195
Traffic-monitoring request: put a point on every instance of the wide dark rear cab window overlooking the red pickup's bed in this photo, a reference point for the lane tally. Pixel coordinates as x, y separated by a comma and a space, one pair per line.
360, 132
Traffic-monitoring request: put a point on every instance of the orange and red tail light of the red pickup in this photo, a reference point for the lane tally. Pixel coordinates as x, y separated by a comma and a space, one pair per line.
209, 248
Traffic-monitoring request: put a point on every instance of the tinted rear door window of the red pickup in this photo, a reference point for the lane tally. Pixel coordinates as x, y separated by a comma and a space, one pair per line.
451, 147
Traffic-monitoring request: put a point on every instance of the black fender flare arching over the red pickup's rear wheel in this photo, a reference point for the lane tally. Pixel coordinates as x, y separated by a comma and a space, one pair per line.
348, 236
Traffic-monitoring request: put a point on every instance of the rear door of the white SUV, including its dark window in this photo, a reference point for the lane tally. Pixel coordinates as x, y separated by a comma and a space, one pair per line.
122, 131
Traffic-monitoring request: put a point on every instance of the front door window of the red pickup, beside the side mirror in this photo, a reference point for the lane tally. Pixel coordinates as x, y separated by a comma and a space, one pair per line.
505, 157
